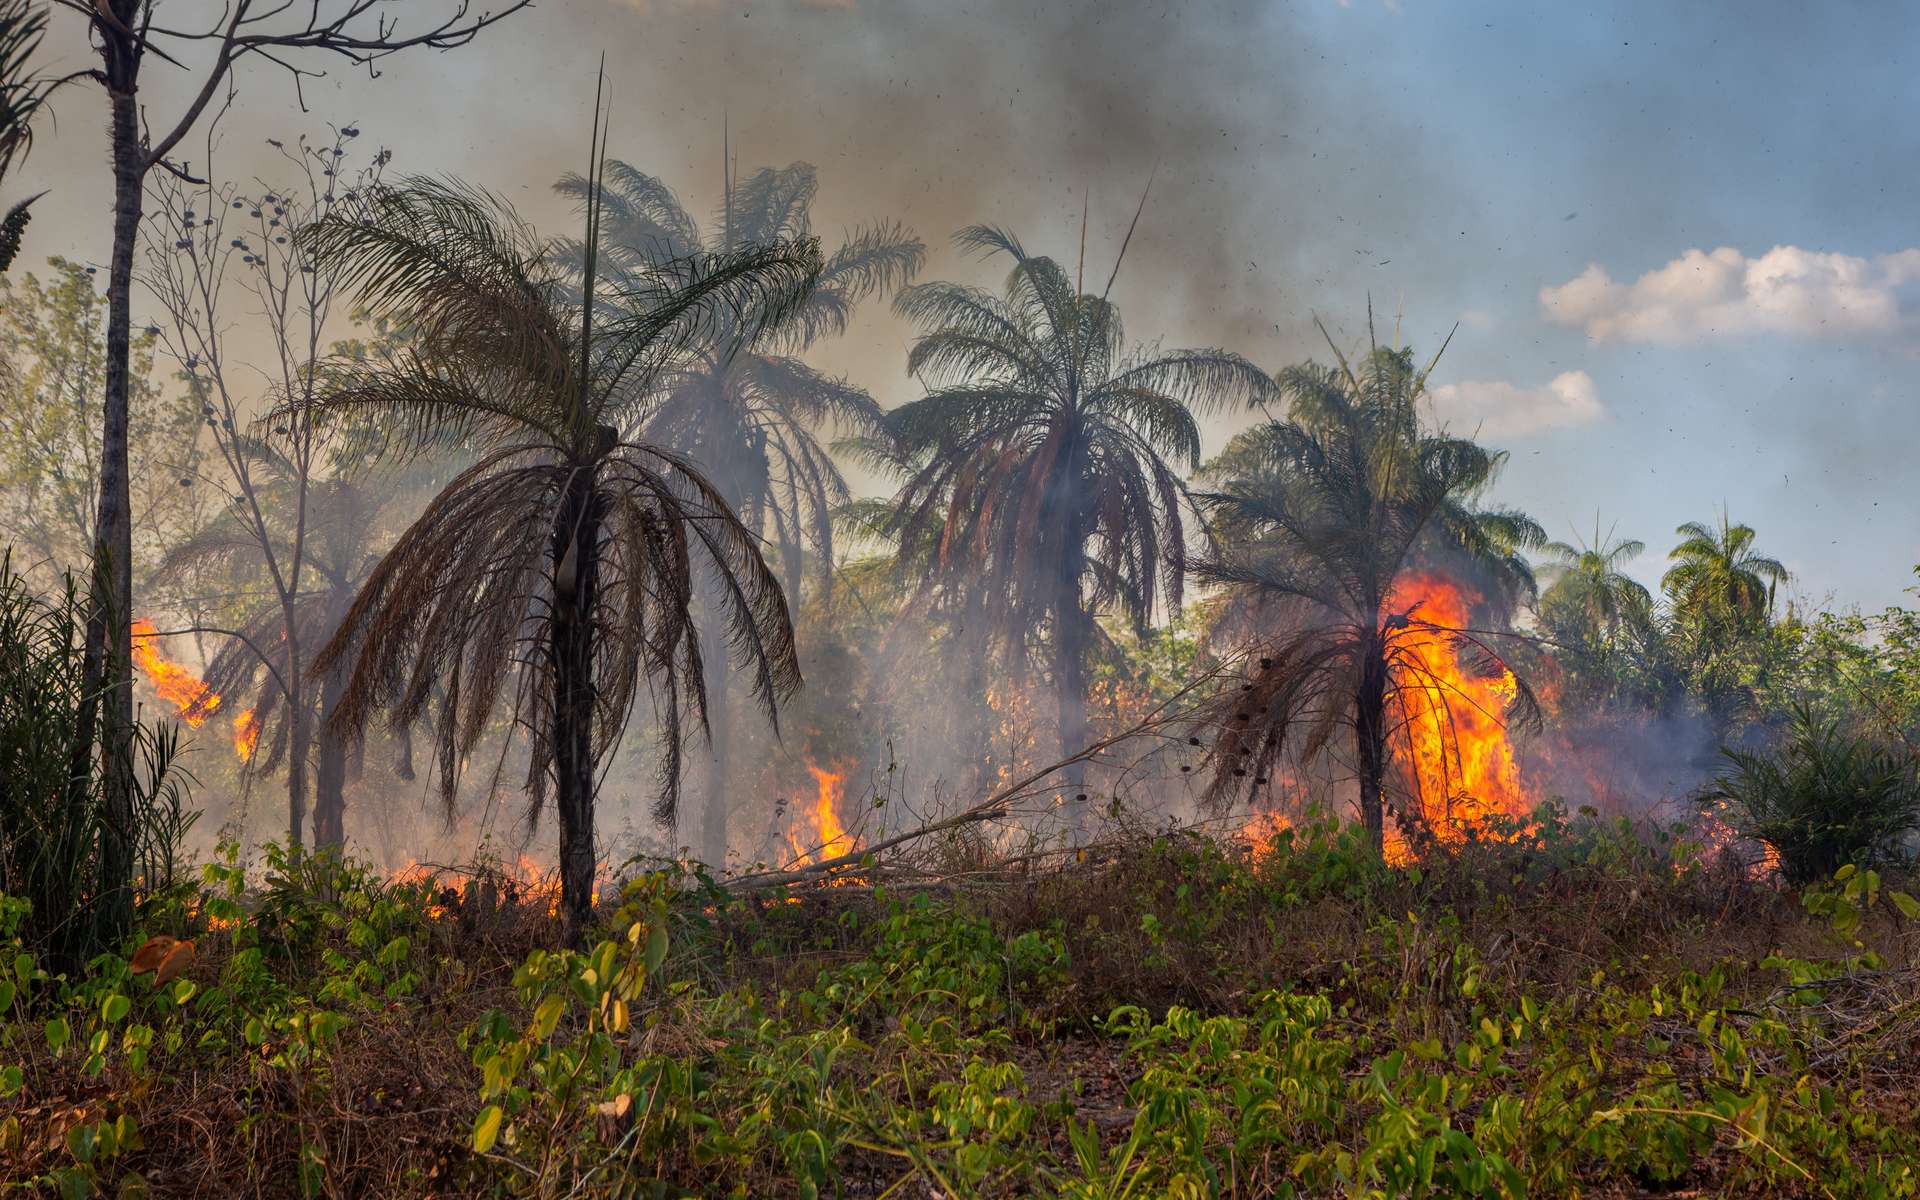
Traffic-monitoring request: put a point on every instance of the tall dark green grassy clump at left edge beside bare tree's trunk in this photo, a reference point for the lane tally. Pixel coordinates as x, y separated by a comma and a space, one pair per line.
53, 813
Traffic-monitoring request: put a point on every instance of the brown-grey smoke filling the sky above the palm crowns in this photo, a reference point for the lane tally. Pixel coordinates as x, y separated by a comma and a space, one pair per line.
932, 112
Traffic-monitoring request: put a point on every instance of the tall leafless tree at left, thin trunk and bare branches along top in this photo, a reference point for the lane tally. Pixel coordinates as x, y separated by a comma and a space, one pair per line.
300, 39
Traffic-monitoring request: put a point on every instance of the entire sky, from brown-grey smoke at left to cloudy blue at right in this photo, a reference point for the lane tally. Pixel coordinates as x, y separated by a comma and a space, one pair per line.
1679, 239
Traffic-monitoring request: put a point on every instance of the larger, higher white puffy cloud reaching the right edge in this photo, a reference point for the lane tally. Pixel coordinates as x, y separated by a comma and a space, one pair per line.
1787, 291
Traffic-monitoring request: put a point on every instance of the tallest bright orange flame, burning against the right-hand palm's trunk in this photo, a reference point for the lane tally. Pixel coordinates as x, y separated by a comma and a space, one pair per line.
1452, 721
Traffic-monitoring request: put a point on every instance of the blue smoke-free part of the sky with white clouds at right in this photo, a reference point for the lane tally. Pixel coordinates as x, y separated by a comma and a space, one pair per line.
1662, 132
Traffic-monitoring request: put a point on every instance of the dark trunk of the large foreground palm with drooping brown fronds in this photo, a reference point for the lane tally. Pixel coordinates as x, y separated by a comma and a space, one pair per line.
575, 585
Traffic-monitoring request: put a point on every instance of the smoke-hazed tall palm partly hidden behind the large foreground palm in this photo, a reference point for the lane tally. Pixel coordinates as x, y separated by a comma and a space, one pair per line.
748, 410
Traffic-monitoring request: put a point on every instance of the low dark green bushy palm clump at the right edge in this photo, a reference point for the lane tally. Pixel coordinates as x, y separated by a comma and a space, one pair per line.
1825, 800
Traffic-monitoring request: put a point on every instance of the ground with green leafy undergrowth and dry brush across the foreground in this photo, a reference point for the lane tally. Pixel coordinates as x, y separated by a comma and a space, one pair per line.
1589, 1011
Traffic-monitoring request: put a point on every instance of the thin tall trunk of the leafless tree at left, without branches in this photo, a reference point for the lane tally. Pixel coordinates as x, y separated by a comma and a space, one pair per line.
108, 654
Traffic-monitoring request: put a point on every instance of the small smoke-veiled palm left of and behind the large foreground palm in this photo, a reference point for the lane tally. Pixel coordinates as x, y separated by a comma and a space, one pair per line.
254, 671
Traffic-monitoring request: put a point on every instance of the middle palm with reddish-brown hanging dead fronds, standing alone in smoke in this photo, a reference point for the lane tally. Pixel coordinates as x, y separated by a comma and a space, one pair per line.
1042, 466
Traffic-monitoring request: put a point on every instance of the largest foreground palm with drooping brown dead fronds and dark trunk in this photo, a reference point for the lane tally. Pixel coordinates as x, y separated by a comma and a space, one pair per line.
567, 552
